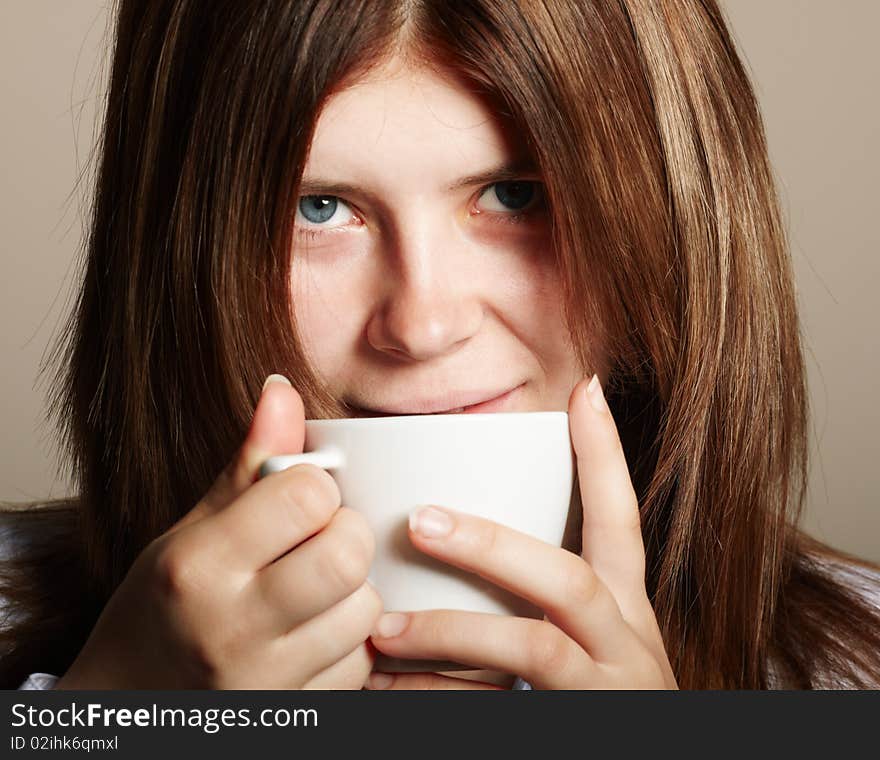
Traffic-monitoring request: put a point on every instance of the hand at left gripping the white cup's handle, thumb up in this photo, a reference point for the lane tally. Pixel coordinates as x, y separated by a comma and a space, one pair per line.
261, 586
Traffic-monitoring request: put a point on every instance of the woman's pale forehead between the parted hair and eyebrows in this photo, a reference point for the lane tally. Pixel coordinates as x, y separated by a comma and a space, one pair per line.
403, 117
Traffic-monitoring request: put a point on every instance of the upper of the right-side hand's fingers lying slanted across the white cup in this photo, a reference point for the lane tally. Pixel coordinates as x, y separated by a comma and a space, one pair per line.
564, 586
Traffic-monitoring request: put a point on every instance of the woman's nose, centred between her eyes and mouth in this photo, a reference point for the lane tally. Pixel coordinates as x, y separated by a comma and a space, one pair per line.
430, 305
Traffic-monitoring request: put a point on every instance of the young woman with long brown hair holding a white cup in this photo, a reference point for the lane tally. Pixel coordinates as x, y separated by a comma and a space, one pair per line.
408, 207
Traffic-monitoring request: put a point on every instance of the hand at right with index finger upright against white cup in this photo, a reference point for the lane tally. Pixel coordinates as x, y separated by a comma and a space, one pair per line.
599, 632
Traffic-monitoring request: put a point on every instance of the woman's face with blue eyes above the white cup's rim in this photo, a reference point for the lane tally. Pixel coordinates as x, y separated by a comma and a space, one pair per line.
423, 273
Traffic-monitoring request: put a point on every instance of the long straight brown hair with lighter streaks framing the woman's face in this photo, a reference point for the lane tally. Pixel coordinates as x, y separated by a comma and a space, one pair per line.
668, 238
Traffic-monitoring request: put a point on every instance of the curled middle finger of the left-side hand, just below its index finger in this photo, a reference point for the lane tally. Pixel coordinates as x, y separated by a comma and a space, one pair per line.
321, 572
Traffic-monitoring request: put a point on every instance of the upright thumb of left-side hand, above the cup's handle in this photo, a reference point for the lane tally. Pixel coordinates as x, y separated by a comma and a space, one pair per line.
277, 427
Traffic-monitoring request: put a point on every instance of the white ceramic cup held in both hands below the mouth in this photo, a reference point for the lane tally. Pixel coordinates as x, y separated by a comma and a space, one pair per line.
513, 468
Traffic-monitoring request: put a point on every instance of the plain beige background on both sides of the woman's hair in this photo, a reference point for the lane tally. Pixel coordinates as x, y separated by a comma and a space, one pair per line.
816, 73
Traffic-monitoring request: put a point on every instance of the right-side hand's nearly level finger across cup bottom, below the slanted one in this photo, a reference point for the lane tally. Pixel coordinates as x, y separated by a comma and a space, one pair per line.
536, 650
